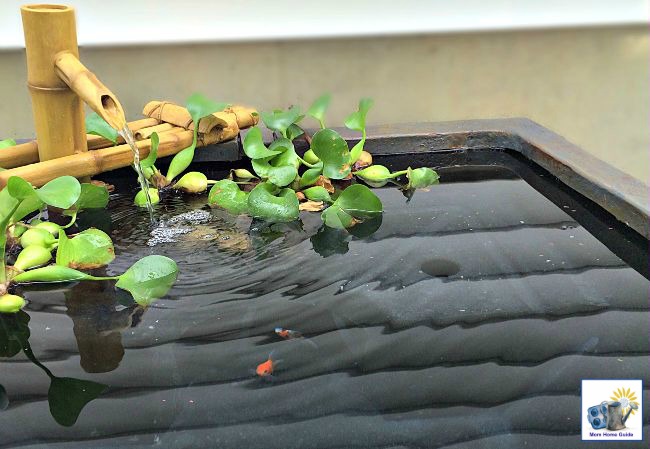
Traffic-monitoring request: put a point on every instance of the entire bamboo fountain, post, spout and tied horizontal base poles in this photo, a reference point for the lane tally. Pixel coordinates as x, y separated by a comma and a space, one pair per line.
59, 84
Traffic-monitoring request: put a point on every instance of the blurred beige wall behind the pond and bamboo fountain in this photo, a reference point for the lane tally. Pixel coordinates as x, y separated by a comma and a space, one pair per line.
591, 85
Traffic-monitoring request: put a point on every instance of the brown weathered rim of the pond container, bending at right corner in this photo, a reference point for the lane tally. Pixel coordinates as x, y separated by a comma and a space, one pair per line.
622, 195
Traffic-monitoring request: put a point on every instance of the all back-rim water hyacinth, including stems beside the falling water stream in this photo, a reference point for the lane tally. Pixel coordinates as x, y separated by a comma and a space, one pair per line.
282, 182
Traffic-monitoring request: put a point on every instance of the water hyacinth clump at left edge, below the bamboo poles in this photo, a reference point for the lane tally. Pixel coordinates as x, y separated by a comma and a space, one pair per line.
147, 279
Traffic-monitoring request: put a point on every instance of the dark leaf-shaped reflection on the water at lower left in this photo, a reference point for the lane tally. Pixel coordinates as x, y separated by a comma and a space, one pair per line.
68, 396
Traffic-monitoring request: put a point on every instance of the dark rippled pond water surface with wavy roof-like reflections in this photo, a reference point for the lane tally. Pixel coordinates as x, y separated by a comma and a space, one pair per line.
465, 318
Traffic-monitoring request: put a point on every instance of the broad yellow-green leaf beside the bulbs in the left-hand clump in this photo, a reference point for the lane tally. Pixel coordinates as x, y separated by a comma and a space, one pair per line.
89, 249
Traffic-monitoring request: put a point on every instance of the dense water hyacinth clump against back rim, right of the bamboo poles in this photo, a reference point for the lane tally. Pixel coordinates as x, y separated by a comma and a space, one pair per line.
313, 177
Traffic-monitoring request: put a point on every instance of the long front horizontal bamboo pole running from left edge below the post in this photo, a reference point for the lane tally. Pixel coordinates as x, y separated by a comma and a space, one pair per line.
98, 161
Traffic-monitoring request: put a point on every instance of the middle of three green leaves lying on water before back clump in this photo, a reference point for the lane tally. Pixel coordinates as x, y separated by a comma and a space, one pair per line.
263, 203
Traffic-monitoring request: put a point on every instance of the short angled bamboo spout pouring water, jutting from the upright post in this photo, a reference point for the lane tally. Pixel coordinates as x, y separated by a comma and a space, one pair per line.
85, 84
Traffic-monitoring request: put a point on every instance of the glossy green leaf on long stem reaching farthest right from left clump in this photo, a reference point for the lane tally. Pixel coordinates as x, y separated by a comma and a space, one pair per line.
149, 278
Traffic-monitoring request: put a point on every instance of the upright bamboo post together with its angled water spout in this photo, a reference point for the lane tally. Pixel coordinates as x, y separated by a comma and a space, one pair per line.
58, 82
